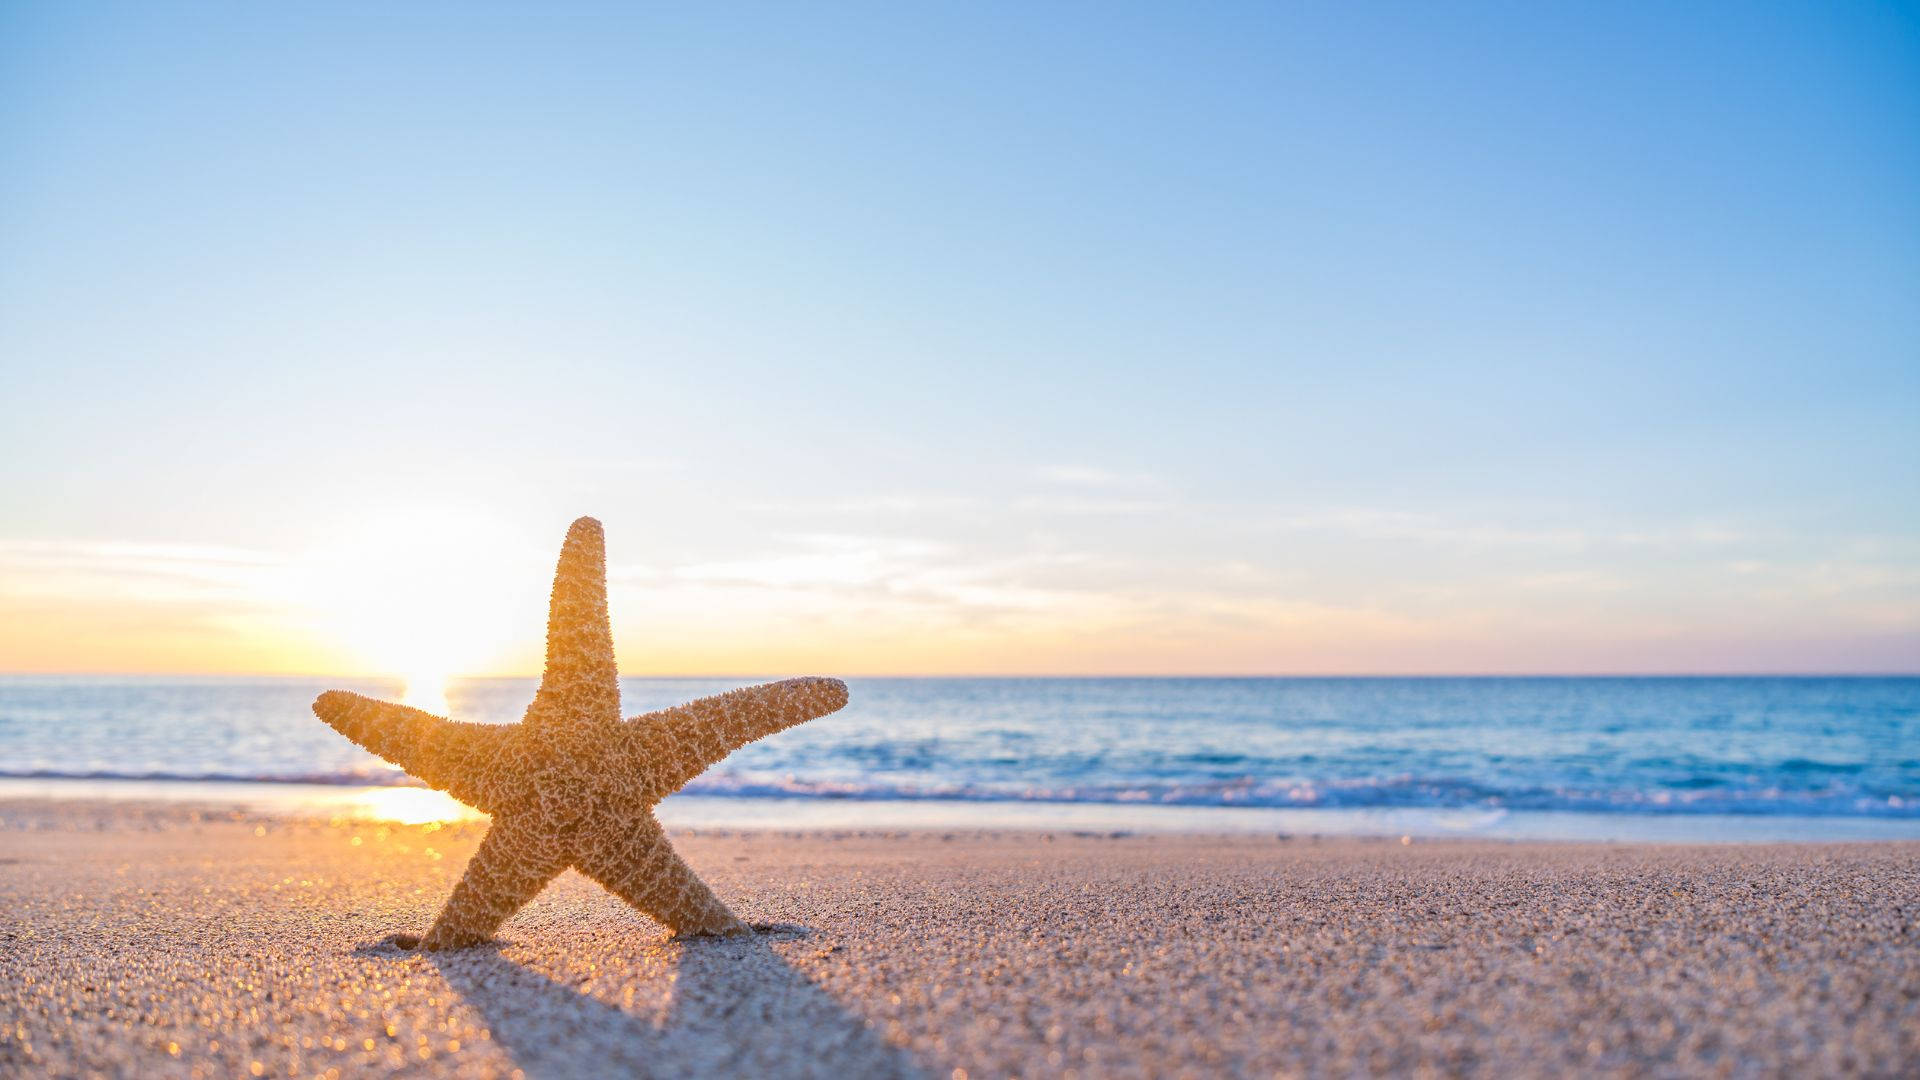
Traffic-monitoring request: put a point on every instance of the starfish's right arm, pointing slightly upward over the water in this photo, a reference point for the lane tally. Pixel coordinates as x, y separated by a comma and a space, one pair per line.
683, 743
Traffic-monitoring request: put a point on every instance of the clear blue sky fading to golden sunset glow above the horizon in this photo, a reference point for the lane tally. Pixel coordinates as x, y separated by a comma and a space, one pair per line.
967, 339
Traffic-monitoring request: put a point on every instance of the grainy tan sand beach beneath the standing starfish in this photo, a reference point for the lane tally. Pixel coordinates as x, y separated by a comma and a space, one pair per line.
164, 943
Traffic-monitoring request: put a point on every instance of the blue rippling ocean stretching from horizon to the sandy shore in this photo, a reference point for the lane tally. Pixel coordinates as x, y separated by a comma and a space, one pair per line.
1620, 758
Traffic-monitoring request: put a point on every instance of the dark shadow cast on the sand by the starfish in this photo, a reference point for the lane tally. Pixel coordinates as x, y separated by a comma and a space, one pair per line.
734, 1008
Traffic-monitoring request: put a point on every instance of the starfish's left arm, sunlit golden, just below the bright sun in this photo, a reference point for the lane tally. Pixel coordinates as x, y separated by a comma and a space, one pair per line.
462, 760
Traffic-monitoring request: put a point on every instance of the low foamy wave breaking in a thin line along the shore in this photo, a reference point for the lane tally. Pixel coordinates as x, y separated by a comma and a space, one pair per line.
1385, 793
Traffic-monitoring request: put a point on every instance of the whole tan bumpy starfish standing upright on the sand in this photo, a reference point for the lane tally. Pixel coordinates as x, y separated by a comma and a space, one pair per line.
573, 783
